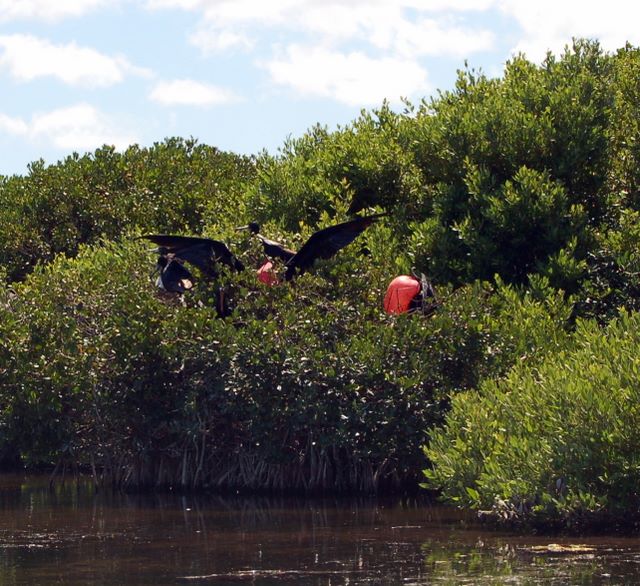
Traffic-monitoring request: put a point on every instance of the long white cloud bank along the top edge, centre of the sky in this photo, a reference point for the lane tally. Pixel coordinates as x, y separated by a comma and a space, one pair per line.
411, 27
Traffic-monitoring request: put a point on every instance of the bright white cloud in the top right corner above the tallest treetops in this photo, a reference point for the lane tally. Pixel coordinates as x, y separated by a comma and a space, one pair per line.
550, 25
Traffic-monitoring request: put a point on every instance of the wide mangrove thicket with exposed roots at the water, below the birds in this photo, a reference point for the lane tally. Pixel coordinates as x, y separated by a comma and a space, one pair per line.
309, 387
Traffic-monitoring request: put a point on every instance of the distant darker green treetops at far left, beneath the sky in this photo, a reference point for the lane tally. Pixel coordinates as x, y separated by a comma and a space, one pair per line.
170, 187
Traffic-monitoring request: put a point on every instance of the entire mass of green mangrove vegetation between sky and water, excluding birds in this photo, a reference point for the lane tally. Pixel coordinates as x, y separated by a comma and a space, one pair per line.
518, 196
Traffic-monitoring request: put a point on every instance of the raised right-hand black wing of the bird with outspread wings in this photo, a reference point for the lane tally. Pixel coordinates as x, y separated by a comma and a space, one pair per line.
327, 242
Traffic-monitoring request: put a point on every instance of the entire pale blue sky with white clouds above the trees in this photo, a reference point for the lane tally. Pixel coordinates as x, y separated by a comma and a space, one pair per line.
244, 75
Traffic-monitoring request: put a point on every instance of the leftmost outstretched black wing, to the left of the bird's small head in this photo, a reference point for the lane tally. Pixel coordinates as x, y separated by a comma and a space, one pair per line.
203, 253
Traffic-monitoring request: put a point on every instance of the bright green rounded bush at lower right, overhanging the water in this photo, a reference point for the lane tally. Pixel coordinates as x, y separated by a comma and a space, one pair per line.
557, 442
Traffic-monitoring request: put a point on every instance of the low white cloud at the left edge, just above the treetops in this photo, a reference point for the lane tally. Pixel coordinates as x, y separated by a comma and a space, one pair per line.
80, 127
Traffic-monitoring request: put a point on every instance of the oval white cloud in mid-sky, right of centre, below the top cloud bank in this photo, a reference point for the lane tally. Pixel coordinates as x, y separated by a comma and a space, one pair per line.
352, 78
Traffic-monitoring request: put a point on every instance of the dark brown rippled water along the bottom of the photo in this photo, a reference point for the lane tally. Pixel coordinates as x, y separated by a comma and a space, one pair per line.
70, 536
